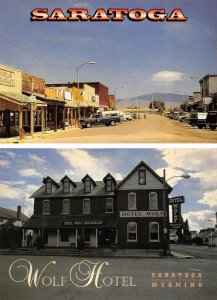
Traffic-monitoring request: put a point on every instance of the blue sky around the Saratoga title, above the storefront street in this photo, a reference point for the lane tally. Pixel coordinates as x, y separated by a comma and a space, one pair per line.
142, 56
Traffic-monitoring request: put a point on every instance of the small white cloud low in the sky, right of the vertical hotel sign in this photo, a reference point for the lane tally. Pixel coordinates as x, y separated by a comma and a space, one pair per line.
198, 219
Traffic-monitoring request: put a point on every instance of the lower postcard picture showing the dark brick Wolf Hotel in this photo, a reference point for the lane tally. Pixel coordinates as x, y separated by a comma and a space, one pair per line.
112, 223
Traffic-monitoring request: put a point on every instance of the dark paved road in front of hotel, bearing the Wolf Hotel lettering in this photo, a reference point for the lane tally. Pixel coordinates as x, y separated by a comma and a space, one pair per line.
121, 279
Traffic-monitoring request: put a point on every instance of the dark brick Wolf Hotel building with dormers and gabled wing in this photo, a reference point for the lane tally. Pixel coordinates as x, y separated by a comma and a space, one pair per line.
129, 213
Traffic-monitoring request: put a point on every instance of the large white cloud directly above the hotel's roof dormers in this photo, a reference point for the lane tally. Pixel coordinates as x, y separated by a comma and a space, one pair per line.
81, 163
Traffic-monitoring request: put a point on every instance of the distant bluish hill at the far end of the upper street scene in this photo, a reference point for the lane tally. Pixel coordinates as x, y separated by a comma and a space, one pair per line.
170, 99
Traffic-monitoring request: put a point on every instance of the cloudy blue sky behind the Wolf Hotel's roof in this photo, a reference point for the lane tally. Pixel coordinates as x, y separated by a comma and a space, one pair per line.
22, 171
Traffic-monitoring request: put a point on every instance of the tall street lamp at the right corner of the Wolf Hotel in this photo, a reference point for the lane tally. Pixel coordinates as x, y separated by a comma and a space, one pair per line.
165, 221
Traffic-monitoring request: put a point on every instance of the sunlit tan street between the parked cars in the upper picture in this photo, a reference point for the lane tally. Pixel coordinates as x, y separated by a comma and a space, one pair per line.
154, 129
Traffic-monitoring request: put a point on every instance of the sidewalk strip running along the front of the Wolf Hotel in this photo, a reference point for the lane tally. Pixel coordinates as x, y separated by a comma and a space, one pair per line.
106, 252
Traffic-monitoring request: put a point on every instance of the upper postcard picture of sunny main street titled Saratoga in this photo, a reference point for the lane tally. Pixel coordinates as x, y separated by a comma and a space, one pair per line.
106, 71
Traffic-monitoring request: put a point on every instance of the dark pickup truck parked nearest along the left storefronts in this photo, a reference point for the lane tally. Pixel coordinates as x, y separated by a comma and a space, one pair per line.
100, 119
